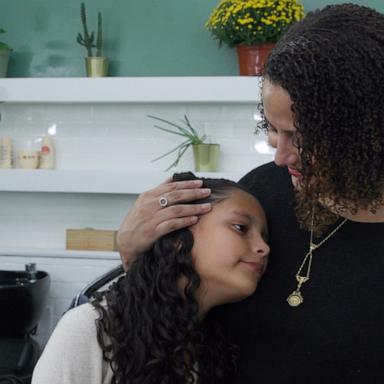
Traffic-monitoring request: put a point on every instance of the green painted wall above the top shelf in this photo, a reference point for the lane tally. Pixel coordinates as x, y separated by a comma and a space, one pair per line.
142, 37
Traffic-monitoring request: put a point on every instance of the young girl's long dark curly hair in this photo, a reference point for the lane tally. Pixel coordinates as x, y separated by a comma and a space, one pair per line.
150, 331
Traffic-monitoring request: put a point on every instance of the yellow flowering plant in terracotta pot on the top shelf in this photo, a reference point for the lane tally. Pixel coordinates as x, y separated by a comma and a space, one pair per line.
253, 27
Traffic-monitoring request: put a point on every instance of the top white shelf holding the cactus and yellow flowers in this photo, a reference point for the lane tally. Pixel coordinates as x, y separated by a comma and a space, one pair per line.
239, 89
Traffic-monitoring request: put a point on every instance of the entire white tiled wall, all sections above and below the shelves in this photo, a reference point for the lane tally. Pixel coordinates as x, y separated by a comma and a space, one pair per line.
103, 136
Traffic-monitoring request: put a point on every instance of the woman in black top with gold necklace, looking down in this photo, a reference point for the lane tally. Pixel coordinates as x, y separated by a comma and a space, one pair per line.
317, 316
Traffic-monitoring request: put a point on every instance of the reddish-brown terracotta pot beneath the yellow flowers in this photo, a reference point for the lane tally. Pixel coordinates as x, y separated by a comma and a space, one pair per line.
252, 58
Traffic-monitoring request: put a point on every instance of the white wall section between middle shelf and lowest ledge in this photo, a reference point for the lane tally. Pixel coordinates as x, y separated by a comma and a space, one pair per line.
39, 220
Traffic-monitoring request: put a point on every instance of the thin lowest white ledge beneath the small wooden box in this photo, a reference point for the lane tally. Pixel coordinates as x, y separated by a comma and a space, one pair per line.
58, 253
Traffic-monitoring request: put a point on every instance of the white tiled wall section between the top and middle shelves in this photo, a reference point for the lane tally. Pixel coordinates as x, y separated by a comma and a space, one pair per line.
121, 136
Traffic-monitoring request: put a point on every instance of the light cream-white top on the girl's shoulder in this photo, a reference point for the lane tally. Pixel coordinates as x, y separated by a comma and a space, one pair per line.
73, 355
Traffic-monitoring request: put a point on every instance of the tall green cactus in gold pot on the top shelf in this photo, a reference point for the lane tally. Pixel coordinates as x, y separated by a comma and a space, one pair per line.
96, 65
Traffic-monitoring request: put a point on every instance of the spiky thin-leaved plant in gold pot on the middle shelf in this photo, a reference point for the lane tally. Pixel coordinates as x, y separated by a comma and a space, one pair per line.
206, 156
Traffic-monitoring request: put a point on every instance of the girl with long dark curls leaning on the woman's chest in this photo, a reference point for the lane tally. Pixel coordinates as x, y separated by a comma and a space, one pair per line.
151, 326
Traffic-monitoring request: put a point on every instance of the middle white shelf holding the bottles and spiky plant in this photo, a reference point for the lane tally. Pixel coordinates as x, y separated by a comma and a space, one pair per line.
89, 181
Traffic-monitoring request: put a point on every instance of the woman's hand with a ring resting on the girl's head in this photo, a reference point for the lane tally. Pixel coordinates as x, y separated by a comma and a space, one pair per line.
148, 220
